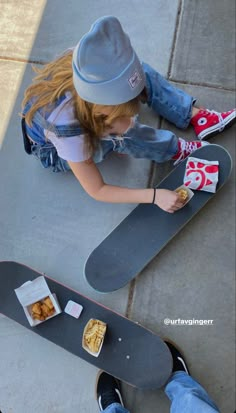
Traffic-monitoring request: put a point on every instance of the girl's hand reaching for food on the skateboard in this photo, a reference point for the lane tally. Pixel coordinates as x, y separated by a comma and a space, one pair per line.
167, 200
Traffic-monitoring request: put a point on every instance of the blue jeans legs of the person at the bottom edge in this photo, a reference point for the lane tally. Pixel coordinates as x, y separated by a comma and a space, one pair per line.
185, 394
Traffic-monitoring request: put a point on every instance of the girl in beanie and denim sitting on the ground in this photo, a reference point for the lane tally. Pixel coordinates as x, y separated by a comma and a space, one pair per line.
85, 104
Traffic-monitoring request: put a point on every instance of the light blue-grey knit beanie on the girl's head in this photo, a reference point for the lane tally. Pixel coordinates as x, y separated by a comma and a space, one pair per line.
106, 69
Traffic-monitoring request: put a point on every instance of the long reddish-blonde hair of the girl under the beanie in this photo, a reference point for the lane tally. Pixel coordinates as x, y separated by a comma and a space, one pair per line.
53, 81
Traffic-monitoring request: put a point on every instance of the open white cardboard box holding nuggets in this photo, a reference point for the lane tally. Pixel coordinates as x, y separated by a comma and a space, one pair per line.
33, 291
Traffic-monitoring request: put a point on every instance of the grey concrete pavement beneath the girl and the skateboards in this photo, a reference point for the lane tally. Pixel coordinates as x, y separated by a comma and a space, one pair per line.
48, 222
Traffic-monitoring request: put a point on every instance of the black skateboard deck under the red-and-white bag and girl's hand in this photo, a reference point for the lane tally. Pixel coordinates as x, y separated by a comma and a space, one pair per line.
147, 229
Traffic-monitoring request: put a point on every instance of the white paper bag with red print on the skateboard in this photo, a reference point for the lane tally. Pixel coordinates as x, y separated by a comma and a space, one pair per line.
201, 174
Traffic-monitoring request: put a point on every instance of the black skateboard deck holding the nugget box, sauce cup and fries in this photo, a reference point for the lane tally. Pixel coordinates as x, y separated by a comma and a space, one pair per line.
130, 352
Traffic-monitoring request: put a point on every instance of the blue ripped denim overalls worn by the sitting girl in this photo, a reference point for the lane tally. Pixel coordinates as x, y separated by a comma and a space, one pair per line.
141, 141
